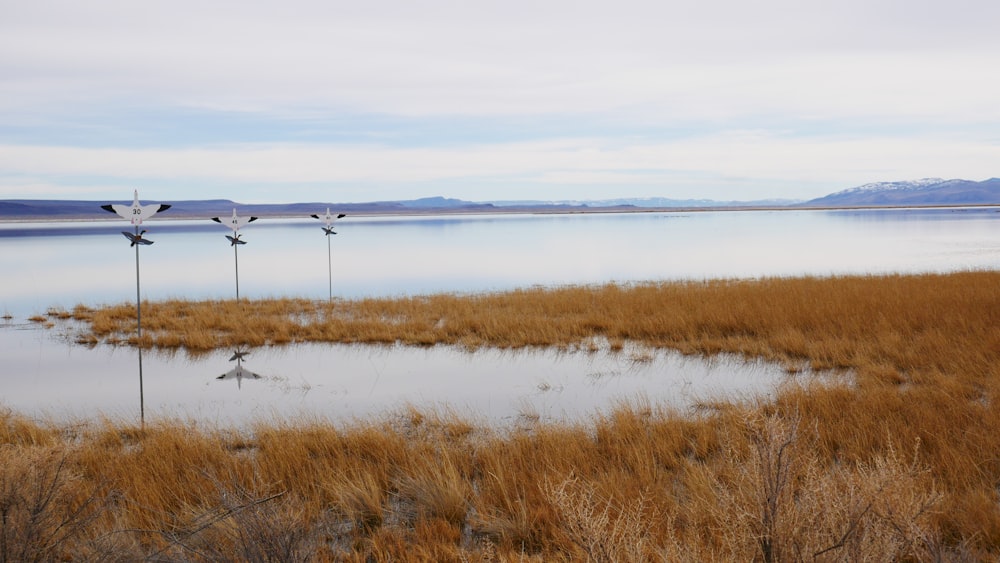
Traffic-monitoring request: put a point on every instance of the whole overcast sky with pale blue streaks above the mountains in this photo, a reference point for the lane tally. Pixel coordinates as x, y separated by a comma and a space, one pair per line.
482, 100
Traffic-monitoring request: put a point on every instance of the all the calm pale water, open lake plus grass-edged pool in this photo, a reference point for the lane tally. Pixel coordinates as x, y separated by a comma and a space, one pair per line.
63, 264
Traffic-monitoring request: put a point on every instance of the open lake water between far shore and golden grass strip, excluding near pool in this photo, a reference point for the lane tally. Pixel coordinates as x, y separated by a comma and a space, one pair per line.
382, 256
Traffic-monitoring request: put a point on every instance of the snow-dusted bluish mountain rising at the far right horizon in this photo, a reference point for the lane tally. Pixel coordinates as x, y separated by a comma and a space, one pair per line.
926, 191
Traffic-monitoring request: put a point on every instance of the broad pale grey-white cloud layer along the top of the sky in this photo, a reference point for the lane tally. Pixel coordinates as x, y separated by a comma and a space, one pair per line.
717, 60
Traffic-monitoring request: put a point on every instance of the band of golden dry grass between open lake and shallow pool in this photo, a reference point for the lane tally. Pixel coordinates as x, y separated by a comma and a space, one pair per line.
884, 326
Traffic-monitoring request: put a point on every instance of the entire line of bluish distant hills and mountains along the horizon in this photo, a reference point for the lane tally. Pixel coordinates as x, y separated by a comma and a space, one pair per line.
925, 192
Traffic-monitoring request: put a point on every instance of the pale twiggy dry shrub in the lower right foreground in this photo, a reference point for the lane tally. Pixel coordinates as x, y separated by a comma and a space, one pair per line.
772, 499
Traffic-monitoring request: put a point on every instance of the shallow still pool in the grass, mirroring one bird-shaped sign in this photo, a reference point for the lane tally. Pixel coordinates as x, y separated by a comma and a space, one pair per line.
46, 374
